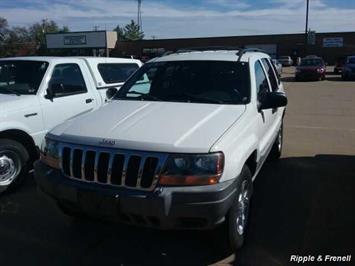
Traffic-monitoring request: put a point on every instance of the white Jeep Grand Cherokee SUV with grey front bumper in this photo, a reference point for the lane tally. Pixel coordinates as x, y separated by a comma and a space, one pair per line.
177, 151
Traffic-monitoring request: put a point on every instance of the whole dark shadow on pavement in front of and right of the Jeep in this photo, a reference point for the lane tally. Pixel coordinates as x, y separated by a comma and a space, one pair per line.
300, 206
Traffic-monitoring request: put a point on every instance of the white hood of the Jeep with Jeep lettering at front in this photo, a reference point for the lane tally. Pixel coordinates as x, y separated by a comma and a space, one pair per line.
152, 126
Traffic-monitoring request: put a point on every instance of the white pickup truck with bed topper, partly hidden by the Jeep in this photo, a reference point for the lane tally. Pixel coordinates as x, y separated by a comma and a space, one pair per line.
38, 93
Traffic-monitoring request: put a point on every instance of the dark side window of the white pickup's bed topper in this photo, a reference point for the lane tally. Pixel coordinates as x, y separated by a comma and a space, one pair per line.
116, 73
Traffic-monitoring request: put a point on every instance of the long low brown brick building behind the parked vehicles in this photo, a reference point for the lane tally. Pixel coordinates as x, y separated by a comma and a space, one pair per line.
328, 45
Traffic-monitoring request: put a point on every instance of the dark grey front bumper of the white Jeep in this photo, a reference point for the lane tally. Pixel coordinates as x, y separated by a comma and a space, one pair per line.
199, 207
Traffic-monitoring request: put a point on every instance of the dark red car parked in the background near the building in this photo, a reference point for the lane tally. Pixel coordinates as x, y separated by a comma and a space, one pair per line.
311, 68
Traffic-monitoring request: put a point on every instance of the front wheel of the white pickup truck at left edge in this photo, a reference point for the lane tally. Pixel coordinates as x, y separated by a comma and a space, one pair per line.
13, 163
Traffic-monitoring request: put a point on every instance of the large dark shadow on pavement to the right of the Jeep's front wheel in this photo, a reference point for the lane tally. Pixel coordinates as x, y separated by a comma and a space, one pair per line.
301, 206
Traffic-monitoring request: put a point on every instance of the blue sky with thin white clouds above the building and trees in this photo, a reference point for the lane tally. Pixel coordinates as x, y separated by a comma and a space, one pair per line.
187, 18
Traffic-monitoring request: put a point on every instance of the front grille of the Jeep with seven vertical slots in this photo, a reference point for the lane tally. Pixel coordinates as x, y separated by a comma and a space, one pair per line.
122, 168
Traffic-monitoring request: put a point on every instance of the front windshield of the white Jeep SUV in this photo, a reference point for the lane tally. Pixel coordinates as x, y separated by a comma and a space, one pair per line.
220, 82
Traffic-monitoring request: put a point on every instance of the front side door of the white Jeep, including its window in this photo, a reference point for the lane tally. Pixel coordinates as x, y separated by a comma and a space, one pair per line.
265, 116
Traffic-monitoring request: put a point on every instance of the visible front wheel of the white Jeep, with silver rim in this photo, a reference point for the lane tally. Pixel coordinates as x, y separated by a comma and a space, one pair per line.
238, 214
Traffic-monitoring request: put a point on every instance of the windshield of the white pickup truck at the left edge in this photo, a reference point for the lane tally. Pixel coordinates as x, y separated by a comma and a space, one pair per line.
21, 77
